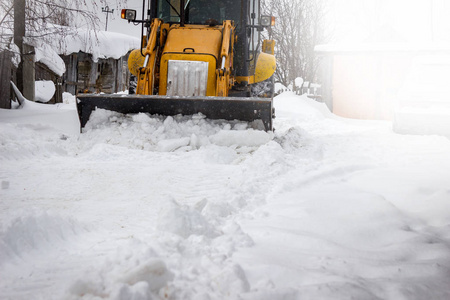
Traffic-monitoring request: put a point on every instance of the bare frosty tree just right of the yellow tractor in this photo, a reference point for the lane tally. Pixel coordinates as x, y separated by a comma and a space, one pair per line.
299, 28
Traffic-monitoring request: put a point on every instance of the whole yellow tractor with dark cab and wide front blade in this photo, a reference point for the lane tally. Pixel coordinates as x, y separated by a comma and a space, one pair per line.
198, 56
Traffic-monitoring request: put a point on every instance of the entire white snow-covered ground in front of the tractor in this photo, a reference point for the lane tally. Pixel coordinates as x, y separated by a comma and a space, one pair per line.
140, 207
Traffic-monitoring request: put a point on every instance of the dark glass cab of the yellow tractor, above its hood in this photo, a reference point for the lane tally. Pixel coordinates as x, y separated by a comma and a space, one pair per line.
244, 14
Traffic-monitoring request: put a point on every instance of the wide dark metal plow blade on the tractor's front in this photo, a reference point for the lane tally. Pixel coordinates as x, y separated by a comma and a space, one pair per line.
226, 108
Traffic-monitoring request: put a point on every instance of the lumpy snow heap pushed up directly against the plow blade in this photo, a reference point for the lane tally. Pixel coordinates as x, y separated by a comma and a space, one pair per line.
167, 134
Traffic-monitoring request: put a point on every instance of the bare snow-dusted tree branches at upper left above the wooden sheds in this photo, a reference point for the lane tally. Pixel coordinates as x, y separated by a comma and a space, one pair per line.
42, 20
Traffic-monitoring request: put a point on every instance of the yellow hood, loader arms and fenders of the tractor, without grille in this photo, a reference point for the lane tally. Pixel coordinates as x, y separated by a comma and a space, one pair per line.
211, 44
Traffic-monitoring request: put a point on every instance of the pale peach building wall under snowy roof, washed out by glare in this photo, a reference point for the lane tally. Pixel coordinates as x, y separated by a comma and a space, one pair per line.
365, 85
